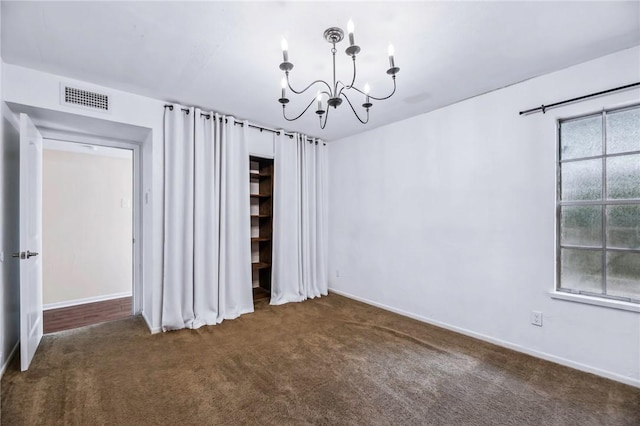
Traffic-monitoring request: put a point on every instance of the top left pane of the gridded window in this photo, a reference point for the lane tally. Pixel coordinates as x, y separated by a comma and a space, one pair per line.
581, 138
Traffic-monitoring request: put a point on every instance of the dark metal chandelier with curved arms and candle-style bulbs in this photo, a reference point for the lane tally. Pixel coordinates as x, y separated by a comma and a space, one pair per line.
338, 90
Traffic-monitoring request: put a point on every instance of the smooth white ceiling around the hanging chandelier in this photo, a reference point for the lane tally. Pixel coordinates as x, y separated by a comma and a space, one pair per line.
224, 56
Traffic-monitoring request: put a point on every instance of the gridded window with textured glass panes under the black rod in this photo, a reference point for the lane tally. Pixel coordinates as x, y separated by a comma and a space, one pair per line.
598, 205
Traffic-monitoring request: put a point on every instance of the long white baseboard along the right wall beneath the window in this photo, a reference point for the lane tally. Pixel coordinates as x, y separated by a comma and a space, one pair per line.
518, 348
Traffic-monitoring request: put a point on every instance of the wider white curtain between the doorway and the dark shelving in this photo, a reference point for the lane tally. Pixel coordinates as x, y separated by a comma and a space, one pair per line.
207, 249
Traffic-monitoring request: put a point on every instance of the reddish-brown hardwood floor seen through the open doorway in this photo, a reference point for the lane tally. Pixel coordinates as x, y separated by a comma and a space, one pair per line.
87, 314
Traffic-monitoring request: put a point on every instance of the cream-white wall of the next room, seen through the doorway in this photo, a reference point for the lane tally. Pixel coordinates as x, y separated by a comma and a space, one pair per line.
87, 225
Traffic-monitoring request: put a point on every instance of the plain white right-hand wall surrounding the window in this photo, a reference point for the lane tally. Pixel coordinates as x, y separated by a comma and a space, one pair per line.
450, 217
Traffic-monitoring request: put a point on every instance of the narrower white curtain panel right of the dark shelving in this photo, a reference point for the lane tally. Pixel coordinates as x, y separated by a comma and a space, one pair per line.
299, 260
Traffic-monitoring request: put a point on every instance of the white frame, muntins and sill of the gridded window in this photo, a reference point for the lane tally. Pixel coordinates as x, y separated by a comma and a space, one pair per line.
580, 295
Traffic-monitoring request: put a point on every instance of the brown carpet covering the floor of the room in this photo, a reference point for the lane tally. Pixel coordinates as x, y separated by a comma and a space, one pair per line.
323, 361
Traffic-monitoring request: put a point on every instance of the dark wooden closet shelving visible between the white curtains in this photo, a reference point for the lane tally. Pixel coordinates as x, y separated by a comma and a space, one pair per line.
261, 179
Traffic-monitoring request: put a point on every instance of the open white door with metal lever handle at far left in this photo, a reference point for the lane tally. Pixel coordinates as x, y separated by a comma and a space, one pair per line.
30, 240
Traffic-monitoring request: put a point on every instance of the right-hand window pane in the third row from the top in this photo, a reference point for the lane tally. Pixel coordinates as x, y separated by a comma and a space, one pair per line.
623, 226
